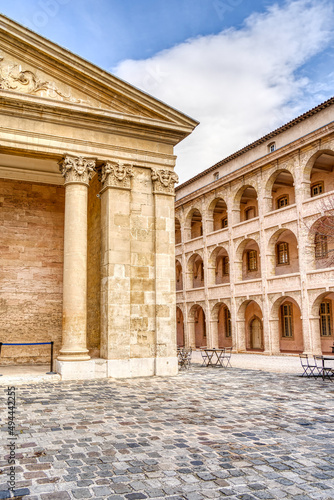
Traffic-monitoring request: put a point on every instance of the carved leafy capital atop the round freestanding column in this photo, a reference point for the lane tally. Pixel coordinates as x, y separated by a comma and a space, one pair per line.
76, 169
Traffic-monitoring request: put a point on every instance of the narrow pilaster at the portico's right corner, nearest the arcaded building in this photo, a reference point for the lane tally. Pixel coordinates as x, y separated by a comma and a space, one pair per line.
165, 297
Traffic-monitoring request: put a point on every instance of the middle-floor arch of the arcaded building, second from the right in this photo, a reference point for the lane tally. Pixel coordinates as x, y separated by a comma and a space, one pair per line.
283, 253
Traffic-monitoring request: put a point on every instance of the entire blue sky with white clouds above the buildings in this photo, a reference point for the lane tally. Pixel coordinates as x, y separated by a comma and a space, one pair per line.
240, 67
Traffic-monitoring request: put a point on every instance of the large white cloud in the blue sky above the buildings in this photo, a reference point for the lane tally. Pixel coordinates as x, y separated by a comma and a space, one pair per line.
240, 84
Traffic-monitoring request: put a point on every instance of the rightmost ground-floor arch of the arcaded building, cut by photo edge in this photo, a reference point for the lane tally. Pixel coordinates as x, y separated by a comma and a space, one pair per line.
322, 321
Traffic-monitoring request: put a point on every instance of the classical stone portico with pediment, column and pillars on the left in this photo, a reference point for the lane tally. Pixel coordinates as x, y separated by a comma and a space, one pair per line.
87, 200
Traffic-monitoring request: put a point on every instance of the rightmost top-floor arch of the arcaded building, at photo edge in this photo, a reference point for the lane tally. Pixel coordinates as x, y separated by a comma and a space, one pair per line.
322, 178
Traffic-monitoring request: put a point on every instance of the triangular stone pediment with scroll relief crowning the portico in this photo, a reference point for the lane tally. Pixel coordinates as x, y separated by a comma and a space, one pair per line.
30, 64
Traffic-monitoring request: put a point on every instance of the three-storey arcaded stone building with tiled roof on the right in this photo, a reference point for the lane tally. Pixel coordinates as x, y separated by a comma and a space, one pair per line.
254, 241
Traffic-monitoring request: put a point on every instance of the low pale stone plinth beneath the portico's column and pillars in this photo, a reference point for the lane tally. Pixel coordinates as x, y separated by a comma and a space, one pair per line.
117, 368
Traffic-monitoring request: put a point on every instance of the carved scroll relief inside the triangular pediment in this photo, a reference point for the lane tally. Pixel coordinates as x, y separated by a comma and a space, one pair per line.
12, 77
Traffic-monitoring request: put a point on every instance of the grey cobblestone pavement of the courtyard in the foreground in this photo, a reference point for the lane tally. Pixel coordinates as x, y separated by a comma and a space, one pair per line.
206, 433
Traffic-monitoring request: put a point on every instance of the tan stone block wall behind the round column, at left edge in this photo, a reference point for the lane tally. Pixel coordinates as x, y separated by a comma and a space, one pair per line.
31, 269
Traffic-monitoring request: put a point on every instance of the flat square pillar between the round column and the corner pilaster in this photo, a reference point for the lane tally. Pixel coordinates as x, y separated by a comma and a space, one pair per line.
115, 269
